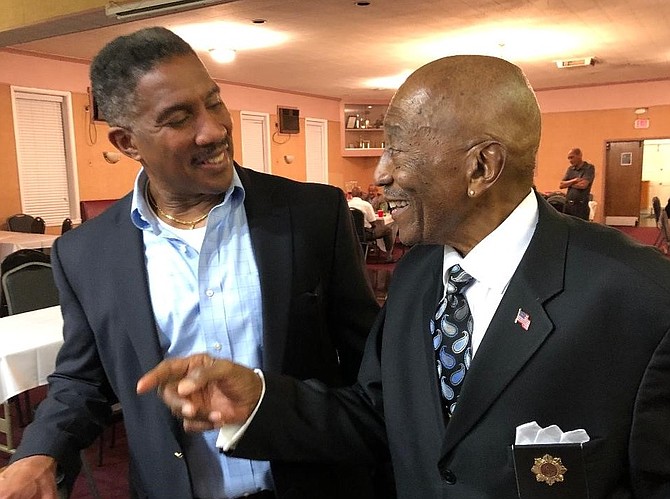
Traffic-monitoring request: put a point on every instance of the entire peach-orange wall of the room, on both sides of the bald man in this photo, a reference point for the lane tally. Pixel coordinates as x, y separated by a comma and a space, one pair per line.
585, 118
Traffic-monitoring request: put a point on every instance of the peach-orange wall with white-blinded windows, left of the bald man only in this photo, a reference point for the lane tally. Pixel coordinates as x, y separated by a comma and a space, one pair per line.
98, 179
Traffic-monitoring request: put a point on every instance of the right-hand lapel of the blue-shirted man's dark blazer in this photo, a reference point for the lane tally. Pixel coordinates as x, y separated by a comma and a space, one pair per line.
269, 218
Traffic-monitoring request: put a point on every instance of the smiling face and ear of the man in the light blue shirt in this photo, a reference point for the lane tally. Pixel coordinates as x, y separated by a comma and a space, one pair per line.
181, 132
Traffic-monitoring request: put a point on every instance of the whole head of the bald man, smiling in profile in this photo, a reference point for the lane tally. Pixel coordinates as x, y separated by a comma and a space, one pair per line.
459, 155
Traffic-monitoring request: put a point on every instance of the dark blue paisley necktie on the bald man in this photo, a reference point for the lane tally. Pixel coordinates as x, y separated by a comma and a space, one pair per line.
451, 328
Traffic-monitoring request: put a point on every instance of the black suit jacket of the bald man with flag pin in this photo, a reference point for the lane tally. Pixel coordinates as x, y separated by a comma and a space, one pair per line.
596, 356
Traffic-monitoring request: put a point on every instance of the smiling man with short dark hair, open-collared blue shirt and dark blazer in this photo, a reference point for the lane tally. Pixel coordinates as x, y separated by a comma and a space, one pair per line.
202, 256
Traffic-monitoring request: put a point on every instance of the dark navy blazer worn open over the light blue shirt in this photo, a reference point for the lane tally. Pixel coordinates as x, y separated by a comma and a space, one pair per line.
317, 310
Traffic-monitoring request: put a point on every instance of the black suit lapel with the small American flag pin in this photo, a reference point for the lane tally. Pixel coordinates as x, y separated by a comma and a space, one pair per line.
507, 346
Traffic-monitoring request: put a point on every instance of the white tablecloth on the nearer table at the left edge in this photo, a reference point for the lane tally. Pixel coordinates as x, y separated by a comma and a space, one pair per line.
29, 343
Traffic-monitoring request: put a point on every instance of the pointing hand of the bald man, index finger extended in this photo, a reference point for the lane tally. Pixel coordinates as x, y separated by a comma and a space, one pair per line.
205, 392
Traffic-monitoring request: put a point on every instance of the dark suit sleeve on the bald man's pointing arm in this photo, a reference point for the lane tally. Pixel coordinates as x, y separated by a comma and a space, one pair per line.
302, 421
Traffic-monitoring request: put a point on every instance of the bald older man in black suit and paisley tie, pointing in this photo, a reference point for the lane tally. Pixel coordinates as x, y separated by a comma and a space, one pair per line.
505, 312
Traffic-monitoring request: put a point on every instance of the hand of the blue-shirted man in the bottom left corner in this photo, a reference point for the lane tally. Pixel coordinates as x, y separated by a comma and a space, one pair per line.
32, 477
